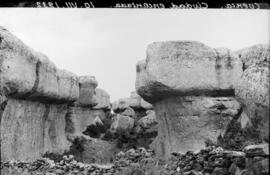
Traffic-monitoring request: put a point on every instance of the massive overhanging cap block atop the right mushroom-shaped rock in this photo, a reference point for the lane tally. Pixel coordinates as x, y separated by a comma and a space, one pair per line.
168, 64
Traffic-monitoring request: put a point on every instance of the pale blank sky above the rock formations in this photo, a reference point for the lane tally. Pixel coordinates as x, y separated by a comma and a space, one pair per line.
107, 43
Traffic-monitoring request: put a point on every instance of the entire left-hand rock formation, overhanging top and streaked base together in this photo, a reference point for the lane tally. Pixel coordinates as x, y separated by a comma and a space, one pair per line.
43, 108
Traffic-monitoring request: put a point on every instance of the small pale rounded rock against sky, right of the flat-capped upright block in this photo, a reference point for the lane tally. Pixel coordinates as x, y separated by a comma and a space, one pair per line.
103, 99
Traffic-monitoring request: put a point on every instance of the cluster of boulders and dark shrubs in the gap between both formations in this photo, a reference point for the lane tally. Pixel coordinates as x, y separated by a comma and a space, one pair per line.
140, 118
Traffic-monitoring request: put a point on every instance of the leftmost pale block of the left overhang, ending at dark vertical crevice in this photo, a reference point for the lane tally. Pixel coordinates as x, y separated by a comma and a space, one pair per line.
17, 64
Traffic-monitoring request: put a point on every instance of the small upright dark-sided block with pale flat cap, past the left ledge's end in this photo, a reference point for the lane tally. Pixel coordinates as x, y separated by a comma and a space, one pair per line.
87, 85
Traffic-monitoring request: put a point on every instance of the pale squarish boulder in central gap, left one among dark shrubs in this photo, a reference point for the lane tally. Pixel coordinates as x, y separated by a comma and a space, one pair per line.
122, 124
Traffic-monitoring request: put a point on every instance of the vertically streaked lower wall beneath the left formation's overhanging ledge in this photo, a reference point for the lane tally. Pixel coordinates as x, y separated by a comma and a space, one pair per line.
30, 129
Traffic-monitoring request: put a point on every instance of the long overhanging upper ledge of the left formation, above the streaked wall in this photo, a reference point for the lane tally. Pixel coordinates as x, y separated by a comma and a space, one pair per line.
29, 74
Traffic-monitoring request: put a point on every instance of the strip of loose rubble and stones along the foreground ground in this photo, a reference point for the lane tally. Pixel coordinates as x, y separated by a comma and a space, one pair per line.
213, 160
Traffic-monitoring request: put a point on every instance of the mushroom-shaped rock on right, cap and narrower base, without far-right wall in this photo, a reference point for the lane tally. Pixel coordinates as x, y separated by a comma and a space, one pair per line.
191, 87
